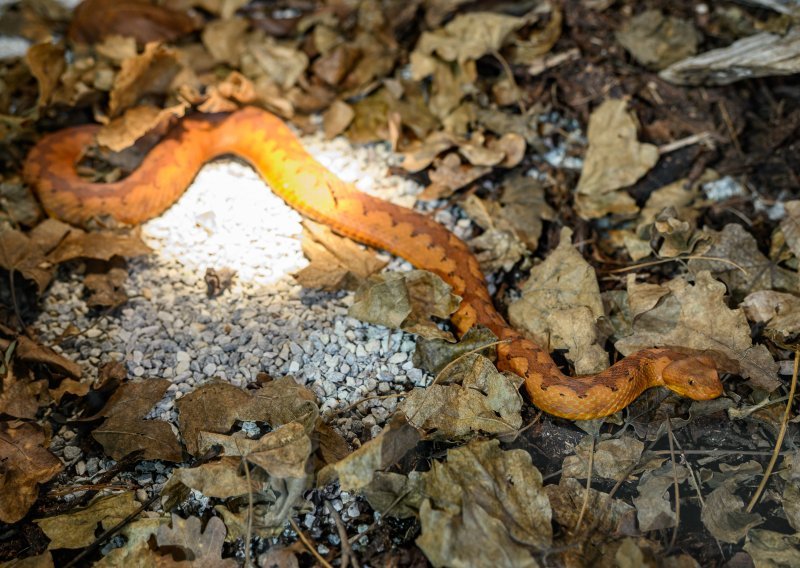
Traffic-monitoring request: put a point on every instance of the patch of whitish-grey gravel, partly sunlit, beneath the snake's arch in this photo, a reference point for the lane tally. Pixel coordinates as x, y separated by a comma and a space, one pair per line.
266, 322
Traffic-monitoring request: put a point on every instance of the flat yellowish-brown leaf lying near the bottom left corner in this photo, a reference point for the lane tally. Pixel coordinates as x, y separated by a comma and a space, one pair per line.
78, 528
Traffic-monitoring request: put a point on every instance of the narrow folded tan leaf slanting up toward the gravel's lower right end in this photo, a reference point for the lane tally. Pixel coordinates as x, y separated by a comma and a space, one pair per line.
358, 469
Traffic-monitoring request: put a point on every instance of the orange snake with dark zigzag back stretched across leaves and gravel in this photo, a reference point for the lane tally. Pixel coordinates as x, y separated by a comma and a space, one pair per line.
269, 145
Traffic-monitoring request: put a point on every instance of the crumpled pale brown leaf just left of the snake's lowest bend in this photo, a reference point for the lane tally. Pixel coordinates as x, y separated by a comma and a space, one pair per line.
470, 396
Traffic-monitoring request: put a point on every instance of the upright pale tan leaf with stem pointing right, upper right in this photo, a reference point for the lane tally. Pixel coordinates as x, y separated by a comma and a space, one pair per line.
614, 160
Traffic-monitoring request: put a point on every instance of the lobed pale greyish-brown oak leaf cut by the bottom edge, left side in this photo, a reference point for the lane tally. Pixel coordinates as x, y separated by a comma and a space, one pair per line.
202, 549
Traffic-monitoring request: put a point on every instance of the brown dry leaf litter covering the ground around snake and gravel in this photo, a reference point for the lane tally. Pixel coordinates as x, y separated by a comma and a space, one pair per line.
471, 100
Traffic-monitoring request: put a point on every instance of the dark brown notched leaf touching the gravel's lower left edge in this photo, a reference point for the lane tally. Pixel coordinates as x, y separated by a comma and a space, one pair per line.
125, 430
